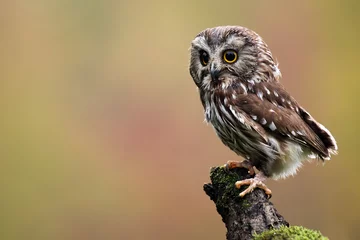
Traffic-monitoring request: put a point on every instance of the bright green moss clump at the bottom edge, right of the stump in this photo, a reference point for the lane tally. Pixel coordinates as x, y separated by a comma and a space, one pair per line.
292, 233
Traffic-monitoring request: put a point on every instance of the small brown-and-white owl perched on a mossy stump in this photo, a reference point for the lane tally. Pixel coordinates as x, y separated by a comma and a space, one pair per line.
250, 111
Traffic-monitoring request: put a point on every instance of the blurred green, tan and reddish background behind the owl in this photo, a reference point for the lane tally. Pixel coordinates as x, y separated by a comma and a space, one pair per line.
102, 132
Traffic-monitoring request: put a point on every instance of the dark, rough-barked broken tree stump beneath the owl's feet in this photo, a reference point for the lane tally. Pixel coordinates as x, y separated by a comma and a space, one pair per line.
243, 217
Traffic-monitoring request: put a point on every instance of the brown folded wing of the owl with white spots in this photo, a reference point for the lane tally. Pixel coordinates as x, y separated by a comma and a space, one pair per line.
275, 110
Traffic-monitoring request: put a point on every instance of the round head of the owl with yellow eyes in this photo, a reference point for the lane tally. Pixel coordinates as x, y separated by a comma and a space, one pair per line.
223, 56
